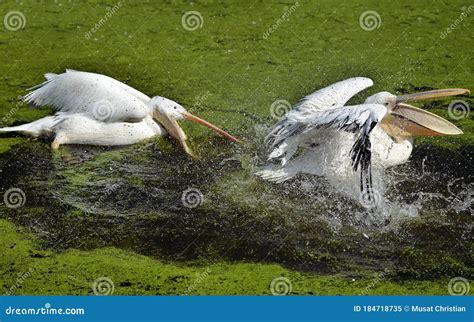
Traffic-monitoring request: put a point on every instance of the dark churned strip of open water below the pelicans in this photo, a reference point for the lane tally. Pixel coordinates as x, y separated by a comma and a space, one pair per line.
132, 198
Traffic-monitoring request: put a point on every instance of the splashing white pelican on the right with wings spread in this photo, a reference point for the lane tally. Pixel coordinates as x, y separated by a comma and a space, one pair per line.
321, 136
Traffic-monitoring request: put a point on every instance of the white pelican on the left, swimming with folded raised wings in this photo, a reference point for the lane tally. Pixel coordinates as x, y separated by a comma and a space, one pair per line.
98, 110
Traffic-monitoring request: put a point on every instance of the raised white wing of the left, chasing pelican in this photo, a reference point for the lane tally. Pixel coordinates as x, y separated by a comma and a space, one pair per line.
97, 96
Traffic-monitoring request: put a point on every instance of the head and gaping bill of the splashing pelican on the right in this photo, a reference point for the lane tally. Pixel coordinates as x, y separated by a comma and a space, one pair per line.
404, 120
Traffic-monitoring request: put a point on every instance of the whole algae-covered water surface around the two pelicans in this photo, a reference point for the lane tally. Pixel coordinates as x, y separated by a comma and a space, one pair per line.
90, 205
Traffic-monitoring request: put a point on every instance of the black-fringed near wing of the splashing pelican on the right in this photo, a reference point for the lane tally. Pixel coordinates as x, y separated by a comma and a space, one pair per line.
358, 119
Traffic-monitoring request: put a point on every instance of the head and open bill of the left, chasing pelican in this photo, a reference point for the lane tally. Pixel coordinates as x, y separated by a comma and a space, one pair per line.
168, 112
